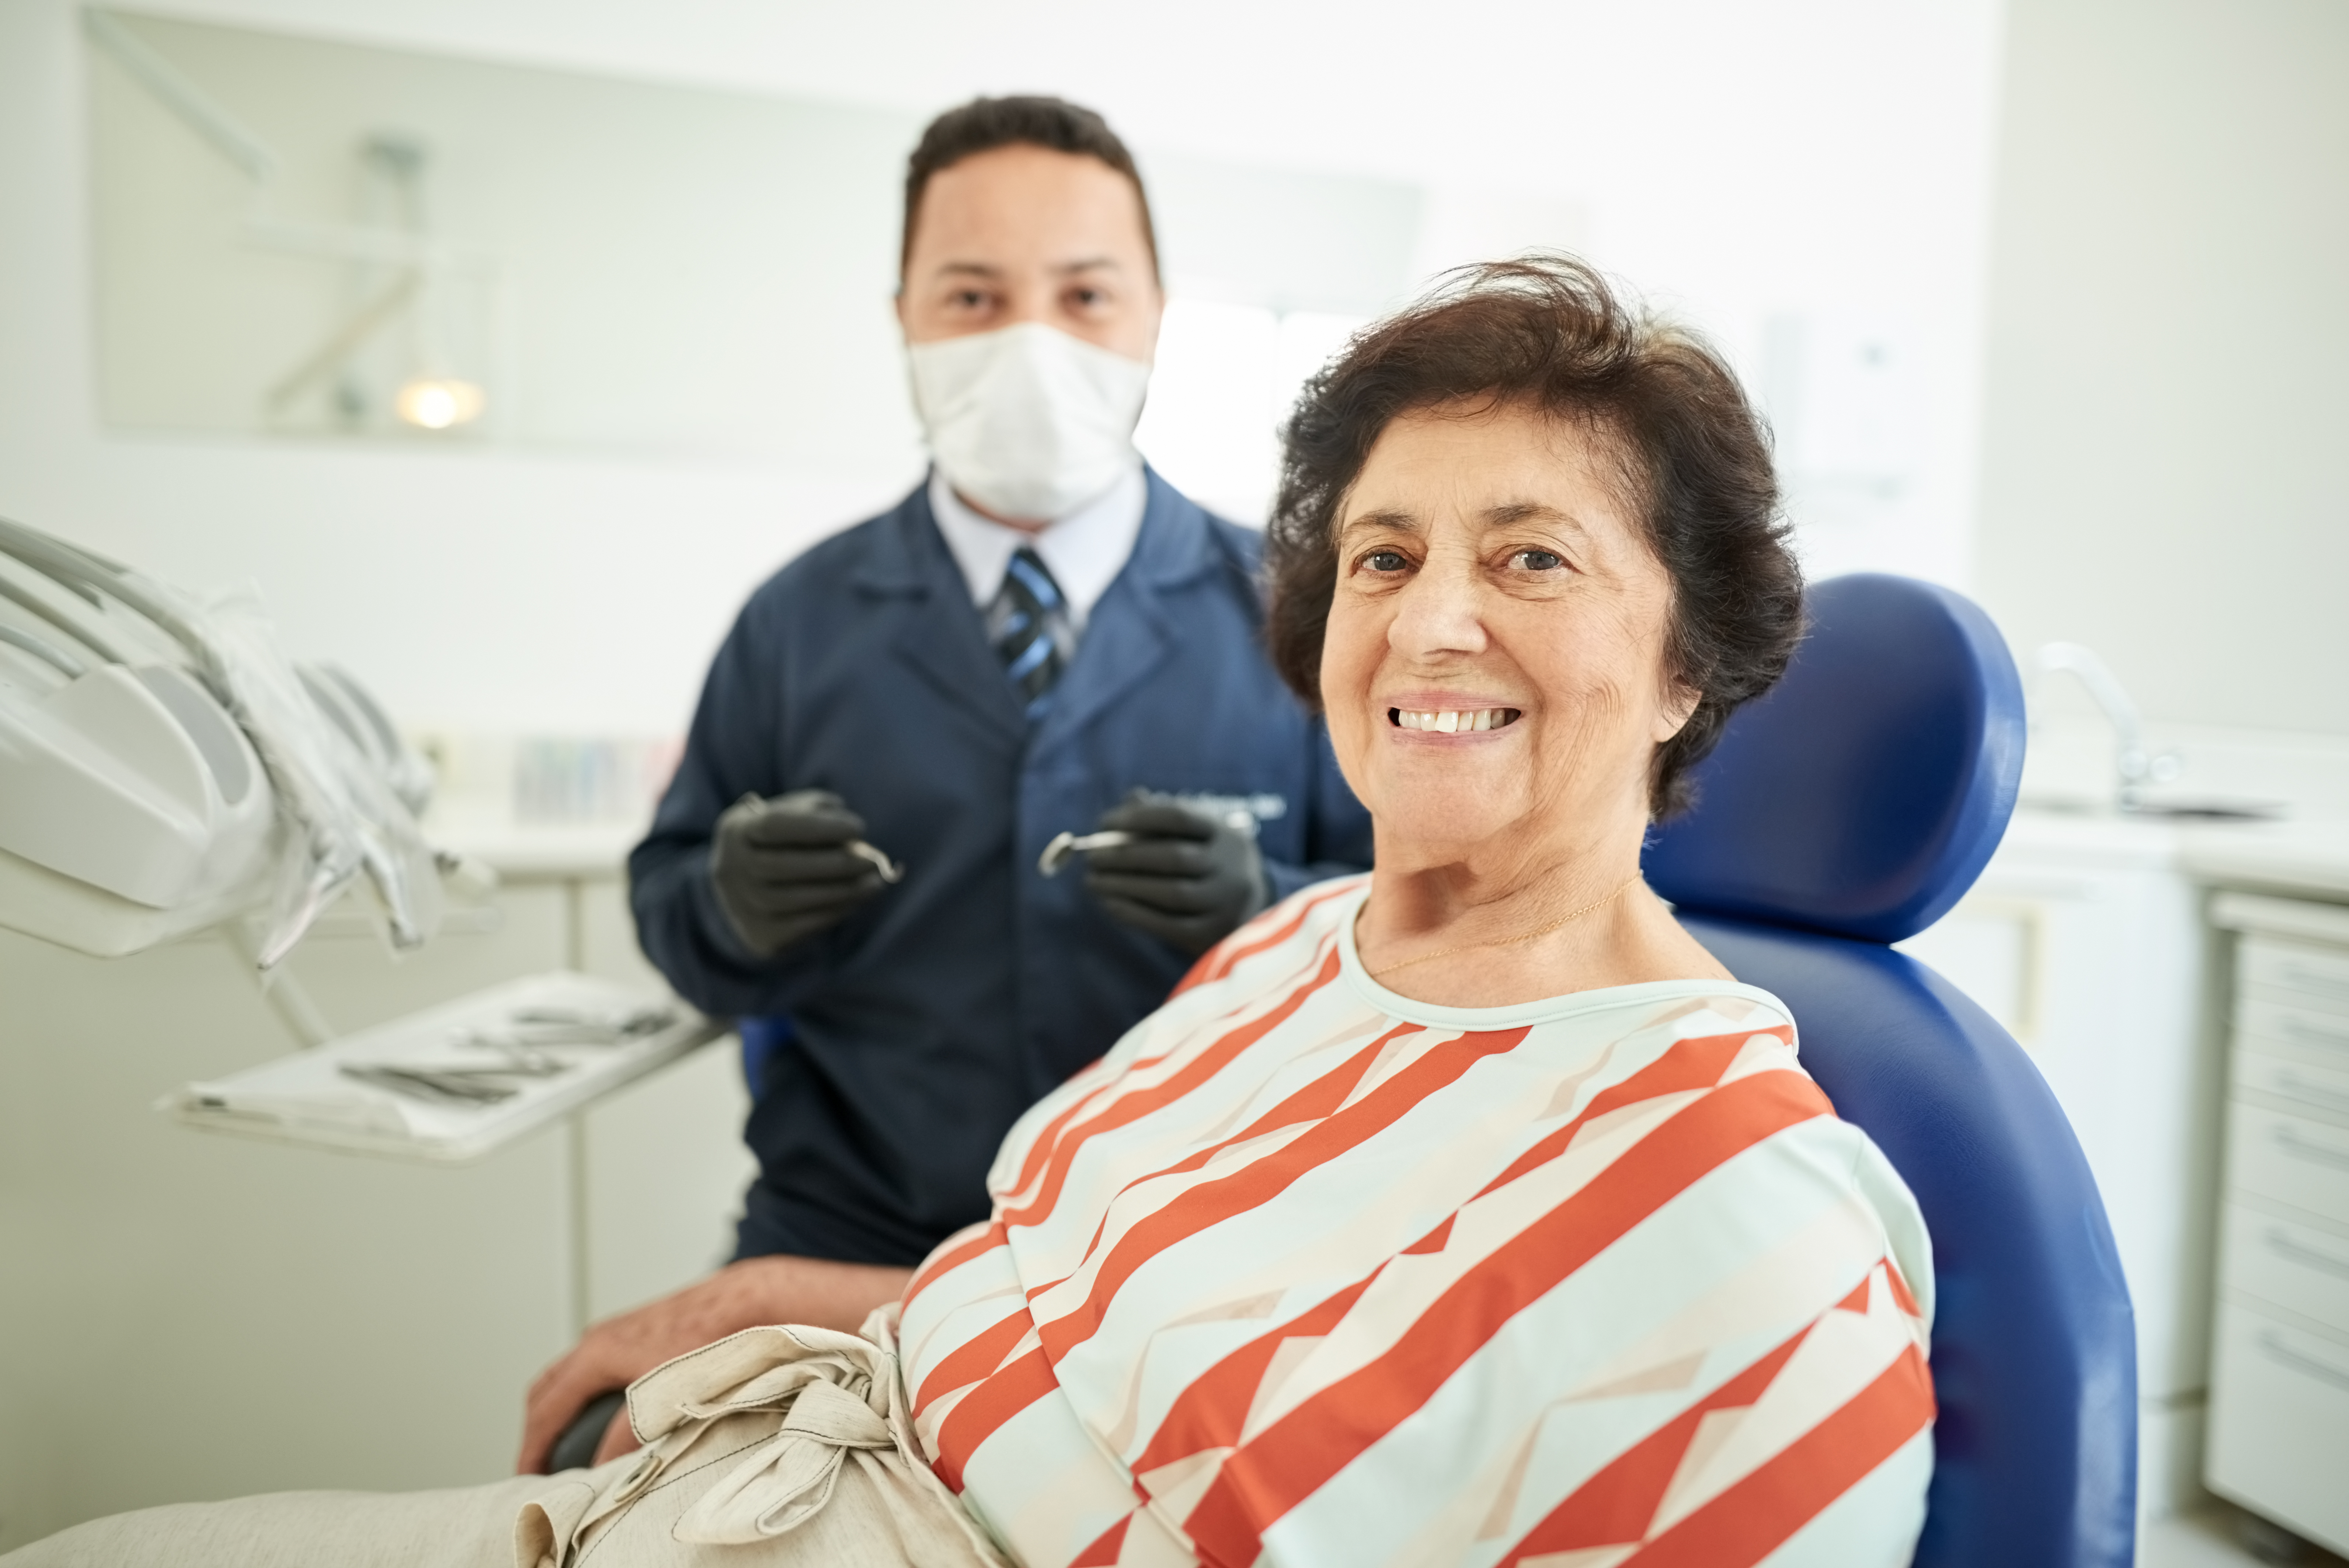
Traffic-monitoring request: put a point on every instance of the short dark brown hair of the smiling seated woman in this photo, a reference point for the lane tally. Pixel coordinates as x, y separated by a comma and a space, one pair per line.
1549, 335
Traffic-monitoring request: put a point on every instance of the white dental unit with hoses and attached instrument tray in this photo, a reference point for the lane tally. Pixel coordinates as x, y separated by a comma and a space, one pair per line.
168, 770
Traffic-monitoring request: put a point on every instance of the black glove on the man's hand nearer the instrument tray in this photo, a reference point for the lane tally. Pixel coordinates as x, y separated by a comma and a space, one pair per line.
783, 869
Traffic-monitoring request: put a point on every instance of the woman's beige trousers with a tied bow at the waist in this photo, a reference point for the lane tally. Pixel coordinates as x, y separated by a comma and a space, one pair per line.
790, 1440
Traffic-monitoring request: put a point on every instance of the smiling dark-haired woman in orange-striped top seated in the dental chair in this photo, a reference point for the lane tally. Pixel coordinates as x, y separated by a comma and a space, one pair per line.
1458, 1214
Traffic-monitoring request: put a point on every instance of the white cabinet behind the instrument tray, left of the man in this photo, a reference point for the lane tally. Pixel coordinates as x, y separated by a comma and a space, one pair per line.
187, 1315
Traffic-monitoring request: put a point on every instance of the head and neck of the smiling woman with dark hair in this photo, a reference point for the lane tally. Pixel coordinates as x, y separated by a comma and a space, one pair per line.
1528, 558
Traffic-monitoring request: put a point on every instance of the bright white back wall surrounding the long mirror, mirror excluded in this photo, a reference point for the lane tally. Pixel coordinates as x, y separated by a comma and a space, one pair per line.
1742, 163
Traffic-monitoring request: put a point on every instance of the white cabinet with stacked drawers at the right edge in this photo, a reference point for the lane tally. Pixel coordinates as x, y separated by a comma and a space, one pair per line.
2280, 1379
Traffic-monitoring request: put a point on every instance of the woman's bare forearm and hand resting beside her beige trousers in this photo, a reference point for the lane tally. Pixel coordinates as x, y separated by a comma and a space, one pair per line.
743, 1294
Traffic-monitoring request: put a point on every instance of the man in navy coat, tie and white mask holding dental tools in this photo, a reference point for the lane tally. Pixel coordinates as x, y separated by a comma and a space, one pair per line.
1044, 636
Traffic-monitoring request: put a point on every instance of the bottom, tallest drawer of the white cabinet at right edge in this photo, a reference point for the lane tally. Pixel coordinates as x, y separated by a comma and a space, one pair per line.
2280, 1423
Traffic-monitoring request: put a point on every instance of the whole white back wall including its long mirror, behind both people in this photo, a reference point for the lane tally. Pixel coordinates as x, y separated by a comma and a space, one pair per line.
668, 248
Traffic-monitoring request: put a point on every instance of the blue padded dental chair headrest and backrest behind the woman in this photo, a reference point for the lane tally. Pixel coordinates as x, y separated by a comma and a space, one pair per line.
1845, 812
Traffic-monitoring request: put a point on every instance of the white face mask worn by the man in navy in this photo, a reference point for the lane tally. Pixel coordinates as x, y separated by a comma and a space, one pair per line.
1028, 422
